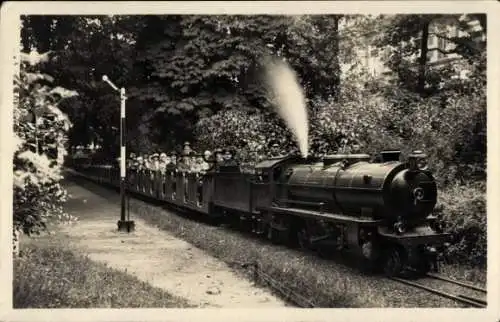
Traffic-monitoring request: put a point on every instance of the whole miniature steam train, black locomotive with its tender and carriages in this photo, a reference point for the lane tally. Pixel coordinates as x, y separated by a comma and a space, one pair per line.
380, 210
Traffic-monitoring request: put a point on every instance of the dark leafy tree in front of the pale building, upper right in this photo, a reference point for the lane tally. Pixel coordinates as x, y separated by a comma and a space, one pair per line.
407, 37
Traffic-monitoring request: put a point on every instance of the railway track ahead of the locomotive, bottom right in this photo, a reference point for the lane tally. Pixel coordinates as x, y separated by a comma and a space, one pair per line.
461, 292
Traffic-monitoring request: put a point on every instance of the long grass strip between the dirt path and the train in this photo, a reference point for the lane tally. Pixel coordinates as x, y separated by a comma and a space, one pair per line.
287, 267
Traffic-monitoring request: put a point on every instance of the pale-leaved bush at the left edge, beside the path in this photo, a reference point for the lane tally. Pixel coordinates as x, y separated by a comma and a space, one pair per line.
40, 136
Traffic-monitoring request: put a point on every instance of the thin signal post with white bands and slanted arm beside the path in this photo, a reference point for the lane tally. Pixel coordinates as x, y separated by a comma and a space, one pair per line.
124, 224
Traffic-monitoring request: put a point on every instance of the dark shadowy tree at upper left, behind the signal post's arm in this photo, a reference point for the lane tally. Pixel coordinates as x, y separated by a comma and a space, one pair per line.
83, 48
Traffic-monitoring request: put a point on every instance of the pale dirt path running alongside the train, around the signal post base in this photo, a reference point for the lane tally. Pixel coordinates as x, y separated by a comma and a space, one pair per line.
156, 257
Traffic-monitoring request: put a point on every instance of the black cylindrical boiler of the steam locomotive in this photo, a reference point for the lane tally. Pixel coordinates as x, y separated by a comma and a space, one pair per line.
352, 185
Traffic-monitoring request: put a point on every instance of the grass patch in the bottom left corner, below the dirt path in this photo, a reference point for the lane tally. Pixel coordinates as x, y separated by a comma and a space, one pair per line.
49, 275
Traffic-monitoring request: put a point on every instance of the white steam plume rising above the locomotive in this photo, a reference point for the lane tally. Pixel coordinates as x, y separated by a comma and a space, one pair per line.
288, 98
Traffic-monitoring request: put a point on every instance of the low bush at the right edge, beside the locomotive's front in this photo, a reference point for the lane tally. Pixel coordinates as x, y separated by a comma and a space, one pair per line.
463, 209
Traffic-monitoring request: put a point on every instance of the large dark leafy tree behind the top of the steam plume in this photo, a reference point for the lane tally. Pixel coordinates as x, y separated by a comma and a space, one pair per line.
200, 65
